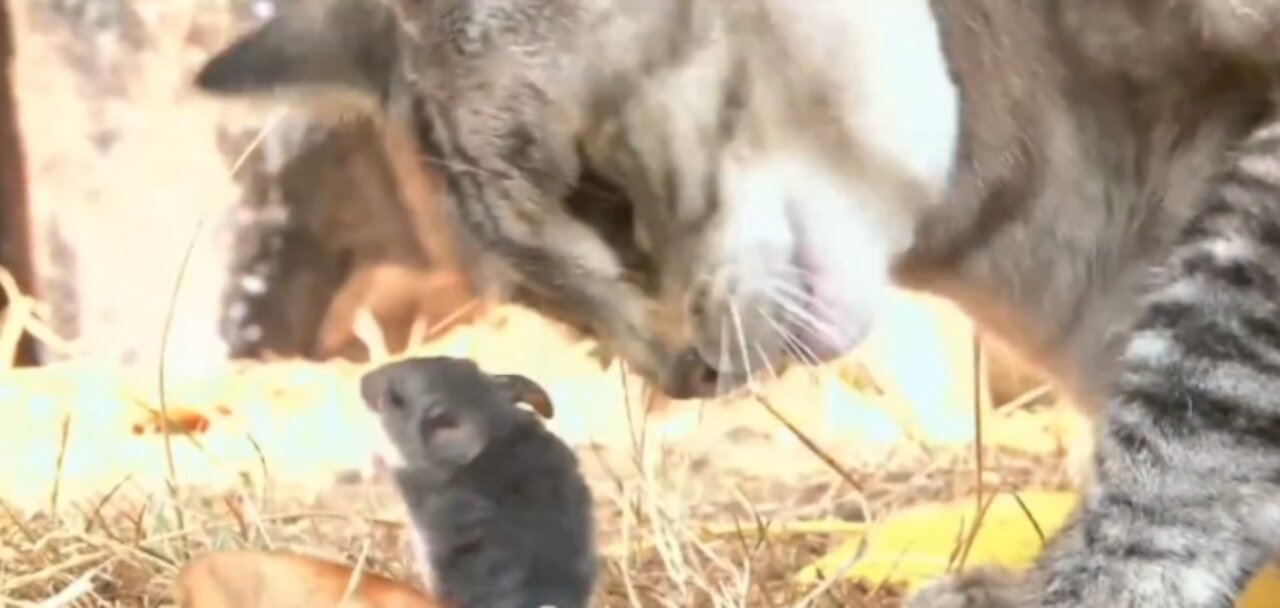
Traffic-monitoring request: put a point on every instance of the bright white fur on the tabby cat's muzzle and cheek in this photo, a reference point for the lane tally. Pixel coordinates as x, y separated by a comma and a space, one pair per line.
900, 106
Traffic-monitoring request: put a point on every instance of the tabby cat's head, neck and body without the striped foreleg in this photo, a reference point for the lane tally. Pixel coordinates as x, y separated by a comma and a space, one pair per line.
1030, 161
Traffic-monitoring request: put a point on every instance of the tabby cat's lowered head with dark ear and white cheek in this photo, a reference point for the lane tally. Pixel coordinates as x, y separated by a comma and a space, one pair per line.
774, 157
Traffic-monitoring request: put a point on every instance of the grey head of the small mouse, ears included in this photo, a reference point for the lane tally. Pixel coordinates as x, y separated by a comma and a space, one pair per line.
442, 413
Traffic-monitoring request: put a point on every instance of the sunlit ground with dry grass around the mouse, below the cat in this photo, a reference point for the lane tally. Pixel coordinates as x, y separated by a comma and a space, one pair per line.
693, 499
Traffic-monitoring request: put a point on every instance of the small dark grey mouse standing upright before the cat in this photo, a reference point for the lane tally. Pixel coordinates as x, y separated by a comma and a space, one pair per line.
501, 514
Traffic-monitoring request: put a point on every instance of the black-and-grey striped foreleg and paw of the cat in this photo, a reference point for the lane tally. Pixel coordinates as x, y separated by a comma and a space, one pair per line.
1186, 508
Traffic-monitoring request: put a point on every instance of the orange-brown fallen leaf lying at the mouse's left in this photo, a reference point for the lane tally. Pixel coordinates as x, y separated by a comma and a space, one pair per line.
250, 579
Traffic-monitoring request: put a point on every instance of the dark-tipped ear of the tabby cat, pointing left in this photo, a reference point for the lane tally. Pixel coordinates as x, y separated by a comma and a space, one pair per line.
337, 48
